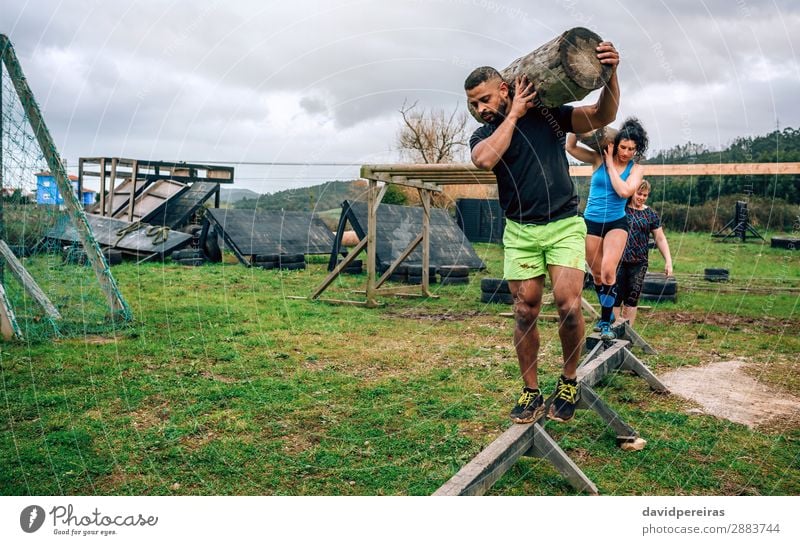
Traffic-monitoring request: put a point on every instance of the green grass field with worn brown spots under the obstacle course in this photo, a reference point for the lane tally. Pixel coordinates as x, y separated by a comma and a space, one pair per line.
223, 385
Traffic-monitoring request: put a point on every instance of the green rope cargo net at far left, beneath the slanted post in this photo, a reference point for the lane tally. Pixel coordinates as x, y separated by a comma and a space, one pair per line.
33, 215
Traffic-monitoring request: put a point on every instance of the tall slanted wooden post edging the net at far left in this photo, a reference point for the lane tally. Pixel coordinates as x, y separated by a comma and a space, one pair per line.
119, 308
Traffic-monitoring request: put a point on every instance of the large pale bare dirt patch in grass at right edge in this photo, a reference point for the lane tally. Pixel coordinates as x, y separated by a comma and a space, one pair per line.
722, 389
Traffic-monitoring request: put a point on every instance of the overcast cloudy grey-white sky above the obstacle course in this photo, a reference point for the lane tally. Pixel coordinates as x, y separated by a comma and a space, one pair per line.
313, 81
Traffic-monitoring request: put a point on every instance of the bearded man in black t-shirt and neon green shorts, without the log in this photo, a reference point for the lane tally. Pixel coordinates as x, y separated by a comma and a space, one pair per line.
522, 142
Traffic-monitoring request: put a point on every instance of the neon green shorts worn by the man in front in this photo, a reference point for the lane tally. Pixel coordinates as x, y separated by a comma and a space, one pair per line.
529, 249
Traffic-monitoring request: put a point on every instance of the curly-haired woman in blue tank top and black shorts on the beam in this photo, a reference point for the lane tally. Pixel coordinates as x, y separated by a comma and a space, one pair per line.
616, 176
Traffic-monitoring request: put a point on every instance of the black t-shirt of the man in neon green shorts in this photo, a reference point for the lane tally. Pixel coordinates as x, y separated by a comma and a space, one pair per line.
533, 181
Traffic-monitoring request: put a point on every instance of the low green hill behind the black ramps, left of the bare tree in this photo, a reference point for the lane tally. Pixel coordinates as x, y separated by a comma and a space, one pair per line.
315, 198
